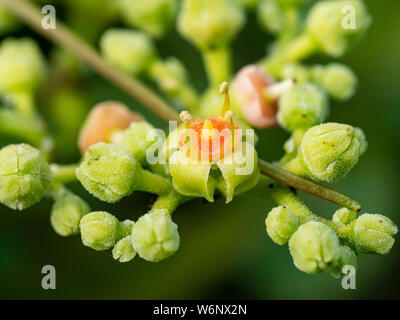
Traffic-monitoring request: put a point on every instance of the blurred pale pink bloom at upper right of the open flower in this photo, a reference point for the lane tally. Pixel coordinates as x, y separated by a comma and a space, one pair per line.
249, 88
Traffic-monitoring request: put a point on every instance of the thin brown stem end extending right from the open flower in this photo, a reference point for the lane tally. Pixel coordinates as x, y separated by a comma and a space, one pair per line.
305, 185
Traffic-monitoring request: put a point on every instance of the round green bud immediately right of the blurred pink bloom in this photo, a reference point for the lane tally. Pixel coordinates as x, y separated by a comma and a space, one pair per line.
302, 106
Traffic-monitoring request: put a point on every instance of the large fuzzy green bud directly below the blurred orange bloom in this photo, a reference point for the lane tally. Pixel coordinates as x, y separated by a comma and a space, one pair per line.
108, 172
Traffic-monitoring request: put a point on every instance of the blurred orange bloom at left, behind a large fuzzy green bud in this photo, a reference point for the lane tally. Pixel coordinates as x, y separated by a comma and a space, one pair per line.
104, 120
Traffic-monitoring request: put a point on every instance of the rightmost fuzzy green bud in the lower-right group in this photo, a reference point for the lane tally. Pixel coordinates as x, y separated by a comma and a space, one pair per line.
373, 233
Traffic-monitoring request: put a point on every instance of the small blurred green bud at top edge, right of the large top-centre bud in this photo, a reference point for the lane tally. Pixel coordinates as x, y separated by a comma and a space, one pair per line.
270, 16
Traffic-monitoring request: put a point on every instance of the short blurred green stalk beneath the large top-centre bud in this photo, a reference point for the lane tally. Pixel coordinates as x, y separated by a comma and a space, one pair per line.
218, 65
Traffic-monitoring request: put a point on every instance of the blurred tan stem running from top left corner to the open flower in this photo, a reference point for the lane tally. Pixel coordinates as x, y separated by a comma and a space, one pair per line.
70, 42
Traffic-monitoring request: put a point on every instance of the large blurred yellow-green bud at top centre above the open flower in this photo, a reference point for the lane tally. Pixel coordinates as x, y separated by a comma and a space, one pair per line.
210, 23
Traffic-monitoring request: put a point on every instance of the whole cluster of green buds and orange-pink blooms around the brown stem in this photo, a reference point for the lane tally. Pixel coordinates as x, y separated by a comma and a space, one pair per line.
213, 149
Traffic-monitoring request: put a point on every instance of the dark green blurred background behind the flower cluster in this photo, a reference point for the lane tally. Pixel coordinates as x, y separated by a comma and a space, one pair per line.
225, 252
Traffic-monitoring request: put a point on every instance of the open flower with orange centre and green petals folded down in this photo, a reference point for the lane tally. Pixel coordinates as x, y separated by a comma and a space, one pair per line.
211, 155
